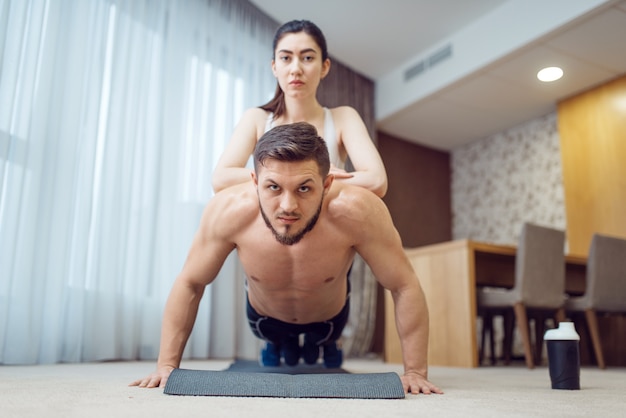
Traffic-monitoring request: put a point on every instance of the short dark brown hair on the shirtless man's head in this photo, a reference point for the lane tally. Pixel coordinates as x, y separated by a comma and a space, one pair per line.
291, 143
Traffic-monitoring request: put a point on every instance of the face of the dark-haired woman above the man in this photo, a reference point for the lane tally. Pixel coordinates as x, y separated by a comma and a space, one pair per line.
298, 65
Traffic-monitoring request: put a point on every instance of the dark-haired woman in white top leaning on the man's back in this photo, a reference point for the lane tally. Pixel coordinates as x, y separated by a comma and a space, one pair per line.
300, 63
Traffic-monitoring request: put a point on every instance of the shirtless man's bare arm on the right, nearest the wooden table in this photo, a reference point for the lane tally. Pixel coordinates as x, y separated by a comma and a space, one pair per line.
381, 247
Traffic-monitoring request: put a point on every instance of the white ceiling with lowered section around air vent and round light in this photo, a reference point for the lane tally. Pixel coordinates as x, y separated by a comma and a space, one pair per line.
497, 46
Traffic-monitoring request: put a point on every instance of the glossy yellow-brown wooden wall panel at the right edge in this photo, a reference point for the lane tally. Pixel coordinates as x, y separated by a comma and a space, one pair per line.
592, 129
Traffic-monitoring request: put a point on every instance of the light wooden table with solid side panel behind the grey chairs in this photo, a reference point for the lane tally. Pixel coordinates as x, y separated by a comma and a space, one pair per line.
449, 274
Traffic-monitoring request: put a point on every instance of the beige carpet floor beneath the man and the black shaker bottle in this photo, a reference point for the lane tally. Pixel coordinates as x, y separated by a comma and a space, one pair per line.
100, 390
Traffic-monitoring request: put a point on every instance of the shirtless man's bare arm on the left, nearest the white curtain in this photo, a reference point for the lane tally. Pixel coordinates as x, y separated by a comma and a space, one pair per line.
209, 249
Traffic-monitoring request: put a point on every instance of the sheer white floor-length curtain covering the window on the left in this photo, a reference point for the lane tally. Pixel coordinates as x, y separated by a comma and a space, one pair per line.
112, 116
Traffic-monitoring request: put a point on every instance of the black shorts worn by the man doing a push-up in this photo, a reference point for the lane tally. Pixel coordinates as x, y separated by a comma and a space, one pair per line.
276, 331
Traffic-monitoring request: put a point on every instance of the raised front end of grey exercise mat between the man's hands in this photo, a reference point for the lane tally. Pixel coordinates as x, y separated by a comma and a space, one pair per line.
282, 385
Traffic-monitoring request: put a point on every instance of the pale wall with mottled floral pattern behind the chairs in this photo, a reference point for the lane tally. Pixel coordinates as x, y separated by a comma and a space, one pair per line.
502, 181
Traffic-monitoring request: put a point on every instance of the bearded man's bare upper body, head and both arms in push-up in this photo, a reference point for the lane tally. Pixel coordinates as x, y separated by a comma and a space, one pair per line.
296, 233
